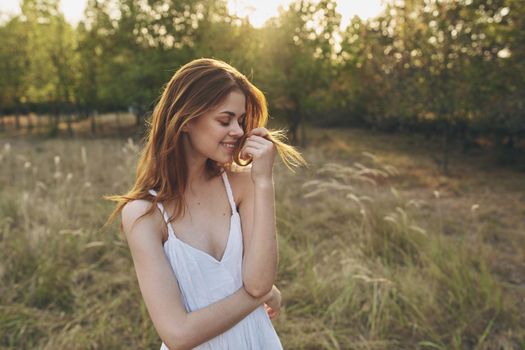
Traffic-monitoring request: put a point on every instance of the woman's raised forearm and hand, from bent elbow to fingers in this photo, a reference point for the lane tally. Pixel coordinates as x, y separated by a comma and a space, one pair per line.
257, 210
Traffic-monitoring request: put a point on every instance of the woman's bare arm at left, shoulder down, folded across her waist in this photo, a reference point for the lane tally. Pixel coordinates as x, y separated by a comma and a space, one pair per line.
176, 327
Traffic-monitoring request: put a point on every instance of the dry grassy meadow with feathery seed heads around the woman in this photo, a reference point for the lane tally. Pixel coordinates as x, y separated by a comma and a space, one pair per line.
378, 250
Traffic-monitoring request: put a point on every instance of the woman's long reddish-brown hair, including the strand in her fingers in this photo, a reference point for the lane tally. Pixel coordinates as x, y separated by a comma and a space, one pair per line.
195, 89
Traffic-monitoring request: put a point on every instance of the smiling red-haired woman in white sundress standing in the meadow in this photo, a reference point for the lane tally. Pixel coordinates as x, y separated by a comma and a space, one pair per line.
199, 222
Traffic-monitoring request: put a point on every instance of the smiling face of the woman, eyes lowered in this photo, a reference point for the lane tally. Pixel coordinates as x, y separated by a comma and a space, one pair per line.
216, 134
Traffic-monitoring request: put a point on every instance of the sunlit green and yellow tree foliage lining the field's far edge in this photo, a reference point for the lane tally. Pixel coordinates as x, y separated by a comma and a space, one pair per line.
452, 69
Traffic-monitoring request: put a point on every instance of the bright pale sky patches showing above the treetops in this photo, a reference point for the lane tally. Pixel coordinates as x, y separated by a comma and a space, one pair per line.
257, 11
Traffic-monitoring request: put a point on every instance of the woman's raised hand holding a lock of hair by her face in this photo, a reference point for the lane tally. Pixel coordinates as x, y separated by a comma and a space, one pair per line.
262, 151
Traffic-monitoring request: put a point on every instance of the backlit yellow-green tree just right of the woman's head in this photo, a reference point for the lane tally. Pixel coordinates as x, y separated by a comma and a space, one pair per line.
297, 48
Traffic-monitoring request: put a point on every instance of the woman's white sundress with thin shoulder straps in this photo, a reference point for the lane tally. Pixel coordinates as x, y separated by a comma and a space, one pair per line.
203, 280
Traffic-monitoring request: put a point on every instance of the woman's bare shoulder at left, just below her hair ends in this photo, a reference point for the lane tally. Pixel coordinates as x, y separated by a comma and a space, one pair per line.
135, 219
